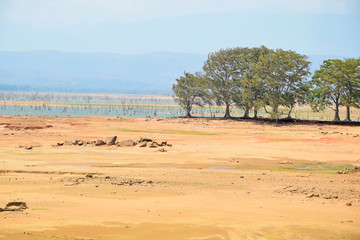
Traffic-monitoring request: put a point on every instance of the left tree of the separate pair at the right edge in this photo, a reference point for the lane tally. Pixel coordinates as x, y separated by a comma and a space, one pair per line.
327, 87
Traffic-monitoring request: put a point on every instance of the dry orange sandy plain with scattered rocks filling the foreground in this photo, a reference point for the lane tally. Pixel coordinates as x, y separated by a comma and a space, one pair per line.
221, 179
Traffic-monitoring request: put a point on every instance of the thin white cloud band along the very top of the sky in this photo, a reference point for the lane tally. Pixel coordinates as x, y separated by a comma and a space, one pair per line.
67, 12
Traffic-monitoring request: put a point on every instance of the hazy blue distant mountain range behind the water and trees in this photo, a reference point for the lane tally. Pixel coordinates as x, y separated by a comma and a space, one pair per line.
55, 71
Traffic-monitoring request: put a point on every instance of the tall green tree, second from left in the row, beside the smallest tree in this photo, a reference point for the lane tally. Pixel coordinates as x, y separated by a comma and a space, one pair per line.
219, 69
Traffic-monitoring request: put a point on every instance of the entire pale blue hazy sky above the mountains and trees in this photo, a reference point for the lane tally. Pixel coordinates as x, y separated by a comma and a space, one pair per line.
322, 27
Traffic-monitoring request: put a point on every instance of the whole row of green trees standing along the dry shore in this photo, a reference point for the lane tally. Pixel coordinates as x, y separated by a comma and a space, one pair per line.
273, 80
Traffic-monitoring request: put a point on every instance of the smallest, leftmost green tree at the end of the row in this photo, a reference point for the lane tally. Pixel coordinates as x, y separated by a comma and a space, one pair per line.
188, 91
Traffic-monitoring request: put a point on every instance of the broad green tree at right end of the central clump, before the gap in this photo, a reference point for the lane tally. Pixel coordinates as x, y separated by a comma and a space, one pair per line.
285, 74
